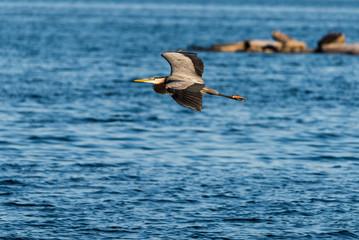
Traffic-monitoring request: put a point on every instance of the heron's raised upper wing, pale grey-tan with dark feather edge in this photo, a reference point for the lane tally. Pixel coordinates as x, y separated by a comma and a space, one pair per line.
185, 66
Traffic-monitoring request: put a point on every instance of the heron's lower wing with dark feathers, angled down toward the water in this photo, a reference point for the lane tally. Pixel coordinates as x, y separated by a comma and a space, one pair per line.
190, 97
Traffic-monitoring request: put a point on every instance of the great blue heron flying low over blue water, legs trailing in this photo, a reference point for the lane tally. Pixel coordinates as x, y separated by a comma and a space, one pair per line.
185, 84
